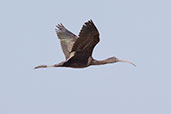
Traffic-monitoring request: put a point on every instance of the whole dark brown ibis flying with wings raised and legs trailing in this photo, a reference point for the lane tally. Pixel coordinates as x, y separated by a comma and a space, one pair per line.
78, 49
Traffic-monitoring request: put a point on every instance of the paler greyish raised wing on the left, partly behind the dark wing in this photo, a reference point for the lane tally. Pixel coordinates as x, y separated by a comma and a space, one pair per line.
67, 39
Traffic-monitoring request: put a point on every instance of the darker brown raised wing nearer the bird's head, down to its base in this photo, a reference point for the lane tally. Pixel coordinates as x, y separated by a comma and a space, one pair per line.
84, 45
